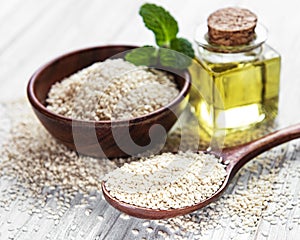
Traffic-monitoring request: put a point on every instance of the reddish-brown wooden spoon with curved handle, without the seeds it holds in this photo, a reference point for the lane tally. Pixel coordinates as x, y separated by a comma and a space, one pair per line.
234, 158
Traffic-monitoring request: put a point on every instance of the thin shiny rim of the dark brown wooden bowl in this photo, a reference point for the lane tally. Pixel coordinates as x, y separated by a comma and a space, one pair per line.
43, 109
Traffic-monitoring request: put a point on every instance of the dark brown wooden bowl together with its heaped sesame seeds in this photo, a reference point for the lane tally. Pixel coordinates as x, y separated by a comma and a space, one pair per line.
98, 104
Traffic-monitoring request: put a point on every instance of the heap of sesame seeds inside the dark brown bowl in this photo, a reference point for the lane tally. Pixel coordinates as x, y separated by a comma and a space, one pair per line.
113, 89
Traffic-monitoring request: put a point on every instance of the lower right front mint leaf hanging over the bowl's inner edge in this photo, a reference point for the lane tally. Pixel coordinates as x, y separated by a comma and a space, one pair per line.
173, 59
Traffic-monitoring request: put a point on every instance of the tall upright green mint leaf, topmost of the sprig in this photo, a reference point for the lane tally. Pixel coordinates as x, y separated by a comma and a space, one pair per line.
160, 22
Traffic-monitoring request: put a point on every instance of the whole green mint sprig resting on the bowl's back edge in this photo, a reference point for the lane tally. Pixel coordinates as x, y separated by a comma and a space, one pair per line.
165, 29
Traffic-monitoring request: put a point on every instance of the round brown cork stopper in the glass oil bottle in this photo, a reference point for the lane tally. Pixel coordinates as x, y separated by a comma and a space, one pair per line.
231, 26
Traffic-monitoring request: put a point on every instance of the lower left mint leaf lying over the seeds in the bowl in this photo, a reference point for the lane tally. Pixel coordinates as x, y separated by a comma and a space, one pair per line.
146, 56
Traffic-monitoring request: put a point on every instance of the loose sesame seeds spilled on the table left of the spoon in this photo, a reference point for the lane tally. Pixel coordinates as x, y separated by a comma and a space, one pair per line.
45, 168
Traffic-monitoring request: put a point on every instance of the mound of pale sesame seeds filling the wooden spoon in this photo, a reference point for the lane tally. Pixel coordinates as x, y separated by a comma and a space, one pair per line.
168, 180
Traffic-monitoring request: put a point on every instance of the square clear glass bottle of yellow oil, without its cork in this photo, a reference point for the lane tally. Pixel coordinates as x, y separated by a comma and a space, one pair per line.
235, 86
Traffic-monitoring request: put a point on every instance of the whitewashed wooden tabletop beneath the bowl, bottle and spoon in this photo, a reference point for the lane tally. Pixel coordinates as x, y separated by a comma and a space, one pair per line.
32, 32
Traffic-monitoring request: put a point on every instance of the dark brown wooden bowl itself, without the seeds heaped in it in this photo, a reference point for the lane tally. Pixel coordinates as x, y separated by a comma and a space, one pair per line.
102, 138
